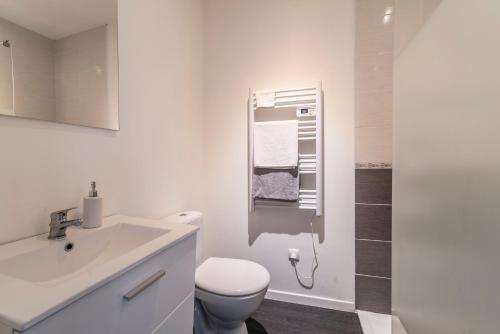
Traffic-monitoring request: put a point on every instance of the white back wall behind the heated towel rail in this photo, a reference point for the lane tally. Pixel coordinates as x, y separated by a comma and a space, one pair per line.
264, 44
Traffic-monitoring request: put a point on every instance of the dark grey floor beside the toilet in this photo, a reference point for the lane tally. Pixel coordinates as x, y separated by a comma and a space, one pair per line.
285, 318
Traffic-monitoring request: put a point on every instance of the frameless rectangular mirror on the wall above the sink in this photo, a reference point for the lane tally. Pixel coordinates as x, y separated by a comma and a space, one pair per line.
59, 61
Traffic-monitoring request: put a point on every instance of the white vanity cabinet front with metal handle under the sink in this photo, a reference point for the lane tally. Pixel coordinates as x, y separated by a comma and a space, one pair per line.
160, 293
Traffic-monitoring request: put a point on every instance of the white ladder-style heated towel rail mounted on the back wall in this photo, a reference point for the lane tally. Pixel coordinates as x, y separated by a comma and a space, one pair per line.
310, 129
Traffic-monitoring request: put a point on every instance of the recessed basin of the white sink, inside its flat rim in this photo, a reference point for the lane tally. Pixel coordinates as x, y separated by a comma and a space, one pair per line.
79, 252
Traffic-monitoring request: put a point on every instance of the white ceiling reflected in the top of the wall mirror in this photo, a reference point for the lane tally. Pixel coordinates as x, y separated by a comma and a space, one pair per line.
58, 18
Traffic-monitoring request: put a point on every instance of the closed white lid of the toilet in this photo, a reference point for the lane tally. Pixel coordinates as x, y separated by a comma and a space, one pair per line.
231, 277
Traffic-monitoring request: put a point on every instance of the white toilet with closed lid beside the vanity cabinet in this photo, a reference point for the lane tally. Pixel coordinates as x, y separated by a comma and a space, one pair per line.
228, 291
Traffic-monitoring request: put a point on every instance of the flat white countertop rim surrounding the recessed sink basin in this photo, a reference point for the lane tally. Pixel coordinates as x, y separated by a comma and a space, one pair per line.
23, 303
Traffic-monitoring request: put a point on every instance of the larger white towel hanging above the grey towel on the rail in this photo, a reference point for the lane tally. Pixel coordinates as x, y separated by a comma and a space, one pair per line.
276, 144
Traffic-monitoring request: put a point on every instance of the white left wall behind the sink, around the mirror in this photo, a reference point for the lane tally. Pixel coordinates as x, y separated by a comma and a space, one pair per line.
151, 166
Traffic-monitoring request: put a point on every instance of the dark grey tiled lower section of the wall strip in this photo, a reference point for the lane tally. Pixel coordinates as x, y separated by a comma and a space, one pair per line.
373, 239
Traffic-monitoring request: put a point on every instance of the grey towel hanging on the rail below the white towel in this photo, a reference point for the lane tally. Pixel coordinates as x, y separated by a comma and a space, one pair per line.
275, 184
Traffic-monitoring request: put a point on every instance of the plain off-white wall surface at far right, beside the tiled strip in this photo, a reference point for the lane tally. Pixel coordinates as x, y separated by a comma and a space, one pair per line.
446, 172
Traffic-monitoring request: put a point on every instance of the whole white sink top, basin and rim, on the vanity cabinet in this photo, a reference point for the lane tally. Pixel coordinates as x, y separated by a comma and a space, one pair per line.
38, 276
